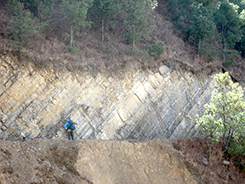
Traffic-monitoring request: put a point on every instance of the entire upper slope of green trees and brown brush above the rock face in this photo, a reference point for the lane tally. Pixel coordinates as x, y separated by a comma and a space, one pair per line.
102, 33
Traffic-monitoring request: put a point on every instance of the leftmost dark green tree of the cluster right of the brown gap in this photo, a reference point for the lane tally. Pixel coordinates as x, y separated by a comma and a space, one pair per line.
194, 18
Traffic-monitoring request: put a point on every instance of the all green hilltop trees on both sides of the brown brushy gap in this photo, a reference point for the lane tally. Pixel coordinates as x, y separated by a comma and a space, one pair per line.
201, 22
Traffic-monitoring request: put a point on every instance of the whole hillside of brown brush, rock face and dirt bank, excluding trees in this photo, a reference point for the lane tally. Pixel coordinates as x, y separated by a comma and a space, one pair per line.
124, 103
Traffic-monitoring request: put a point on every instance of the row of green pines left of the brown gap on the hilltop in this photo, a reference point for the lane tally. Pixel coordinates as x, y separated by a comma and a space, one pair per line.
61, 18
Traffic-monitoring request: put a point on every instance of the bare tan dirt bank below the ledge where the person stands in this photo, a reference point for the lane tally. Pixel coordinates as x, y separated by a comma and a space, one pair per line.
92, 162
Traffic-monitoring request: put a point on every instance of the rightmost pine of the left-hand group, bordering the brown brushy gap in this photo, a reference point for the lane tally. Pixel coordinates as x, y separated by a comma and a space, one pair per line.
138, 20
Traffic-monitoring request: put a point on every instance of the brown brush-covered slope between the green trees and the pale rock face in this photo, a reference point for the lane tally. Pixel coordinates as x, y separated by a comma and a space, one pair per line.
50, 49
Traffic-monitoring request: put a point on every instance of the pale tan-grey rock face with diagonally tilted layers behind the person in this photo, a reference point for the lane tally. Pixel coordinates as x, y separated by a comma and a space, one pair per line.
134, 104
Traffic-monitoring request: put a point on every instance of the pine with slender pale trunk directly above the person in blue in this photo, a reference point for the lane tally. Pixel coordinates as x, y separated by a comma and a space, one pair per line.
74, 15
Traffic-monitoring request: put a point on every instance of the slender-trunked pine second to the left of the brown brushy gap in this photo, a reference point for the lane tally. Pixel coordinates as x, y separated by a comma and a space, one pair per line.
103, 12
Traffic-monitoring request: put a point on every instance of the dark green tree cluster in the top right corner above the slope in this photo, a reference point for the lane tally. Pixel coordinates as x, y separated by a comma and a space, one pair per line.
212, 21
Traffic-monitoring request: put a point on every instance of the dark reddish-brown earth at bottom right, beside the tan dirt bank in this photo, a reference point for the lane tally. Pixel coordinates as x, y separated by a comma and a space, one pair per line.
206, 162
